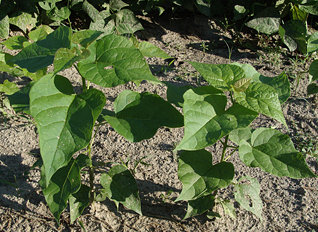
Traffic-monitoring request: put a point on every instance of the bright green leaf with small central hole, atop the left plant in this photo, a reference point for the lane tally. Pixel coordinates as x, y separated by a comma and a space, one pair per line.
113, 61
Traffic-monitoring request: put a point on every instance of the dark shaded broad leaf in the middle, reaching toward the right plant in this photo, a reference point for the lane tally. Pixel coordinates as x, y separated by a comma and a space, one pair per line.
138, 116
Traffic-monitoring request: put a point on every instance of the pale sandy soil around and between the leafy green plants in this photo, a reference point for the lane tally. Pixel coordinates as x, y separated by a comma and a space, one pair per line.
288, 204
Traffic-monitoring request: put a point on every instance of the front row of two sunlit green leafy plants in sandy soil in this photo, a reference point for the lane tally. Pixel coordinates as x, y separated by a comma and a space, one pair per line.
66, 120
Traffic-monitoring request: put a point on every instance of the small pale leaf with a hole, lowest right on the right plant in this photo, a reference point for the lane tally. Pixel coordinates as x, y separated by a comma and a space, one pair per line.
247, 194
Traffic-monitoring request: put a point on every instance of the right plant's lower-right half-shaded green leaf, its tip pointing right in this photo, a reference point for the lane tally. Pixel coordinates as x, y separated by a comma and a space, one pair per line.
274, 152
